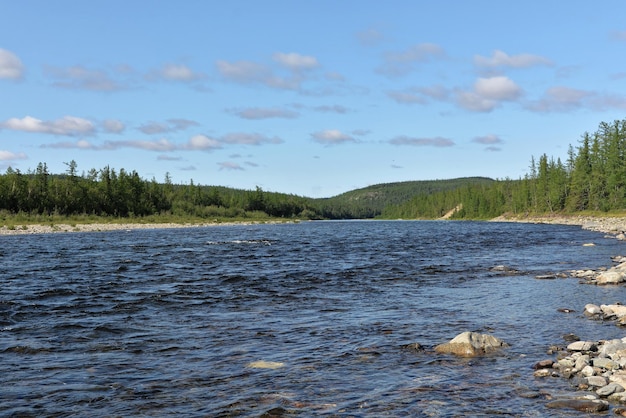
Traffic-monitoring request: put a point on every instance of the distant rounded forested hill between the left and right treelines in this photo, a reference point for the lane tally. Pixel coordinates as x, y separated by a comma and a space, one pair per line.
370, 201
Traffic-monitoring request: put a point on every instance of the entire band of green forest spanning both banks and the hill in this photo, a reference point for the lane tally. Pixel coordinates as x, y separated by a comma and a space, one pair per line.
591, 178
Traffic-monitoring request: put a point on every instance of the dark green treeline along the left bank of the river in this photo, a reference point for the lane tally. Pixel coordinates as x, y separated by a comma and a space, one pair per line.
108, 192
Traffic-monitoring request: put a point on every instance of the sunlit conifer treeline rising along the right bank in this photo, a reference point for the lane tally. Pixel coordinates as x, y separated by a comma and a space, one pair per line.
592, 178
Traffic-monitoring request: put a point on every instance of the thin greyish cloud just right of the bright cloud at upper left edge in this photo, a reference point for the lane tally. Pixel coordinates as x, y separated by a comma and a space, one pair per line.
80, 78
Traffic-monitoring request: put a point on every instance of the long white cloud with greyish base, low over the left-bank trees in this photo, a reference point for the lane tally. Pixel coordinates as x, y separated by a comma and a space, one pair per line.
67, 125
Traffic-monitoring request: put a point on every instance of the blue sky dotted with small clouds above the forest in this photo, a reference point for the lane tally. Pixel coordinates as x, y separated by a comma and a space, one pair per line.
313, 98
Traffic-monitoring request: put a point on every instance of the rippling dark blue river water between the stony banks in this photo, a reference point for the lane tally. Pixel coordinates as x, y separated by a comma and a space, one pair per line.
171, 322
